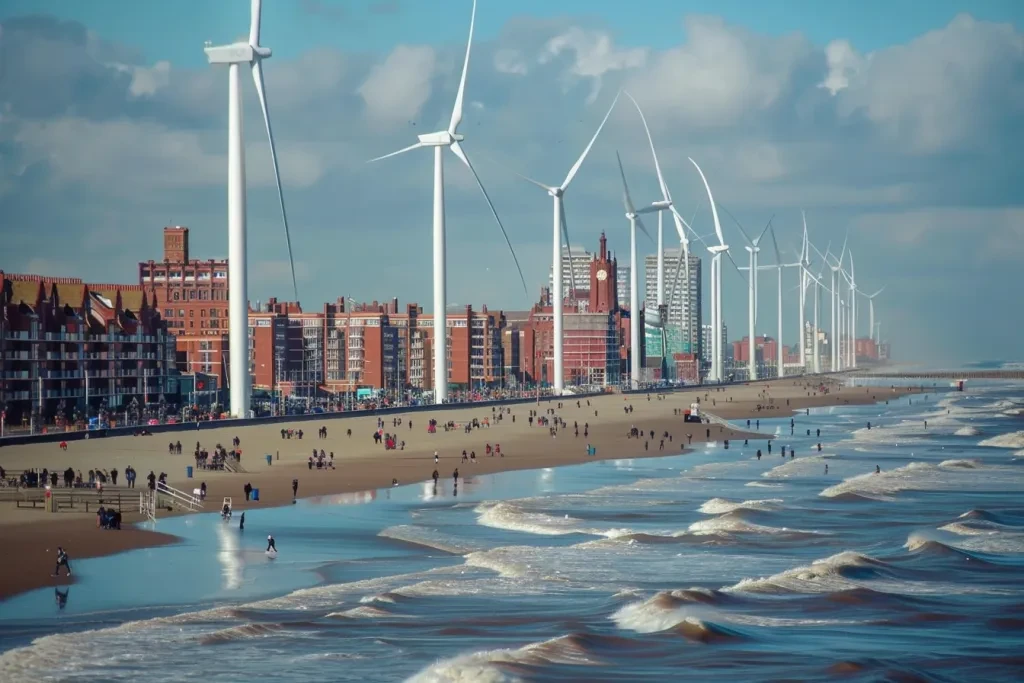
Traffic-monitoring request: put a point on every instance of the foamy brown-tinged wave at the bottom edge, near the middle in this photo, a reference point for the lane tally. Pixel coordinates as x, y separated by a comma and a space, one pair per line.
502, 666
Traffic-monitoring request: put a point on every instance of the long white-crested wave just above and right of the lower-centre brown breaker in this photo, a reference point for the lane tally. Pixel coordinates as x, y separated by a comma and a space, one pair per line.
832, 575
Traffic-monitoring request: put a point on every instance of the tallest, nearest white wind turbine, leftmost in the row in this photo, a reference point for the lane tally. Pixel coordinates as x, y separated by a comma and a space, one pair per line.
252, 54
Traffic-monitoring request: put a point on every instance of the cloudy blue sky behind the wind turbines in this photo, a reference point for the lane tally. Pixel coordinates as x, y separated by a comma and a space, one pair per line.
898, 123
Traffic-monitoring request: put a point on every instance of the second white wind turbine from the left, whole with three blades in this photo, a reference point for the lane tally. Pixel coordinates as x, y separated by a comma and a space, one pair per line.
450, 139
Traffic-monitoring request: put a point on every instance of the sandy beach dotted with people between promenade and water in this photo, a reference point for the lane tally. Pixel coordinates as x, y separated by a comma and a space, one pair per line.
362, 464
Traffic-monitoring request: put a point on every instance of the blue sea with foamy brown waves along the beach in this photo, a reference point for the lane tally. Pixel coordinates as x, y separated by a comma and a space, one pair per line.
712, 566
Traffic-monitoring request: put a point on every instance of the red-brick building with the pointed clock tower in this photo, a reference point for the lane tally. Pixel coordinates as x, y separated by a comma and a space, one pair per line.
596, 335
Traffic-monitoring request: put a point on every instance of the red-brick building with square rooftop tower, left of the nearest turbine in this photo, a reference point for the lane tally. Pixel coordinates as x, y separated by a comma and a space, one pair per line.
194, 304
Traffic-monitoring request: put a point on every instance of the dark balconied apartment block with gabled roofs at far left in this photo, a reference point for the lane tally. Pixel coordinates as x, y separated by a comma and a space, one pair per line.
70, 348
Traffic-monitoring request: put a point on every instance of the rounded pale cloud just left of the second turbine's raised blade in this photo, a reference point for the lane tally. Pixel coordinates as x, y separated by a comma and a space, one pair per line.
398, 89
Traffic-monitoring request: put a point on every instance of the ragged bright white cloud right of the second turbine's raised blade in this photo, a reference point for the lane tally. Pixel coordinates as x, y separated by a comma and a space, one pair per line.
595, 56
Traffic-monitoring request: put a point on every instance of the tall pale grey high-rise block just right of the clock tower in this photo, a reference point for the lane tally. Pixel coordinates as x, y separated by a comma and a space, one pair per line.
682, 301
